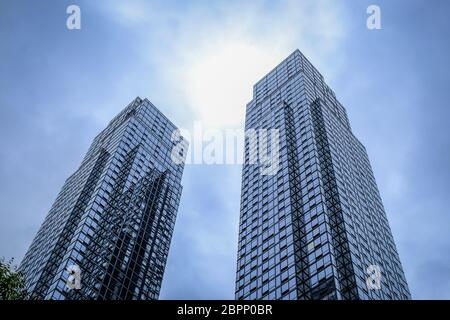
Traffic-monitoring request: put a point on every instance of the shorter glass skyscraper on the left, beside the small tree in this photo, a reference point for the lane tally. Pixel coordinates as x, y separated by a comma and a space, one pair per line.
108, 232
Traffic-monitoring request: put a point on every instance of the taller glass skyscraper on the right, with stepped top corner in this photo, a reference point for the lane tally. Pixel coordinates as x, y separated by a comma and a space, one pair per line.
316, 228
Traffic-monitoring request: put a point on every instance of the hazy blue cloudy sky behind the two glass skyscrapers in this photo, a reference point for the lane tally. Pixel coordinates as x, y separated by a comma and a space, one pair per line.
198, 60
